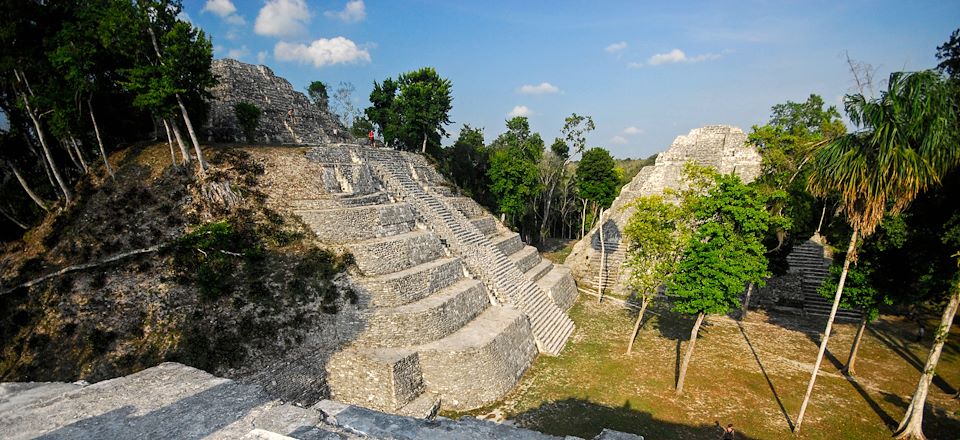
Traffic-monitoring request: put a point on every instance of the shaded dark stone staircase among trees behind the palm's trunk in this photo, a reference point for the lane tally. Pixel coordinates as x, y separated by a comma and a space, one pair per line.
808, 259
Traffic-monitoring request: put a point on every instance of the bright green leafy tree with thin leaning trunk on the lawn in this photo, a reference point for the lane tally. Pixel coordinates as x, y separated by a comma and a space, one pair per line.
724, 254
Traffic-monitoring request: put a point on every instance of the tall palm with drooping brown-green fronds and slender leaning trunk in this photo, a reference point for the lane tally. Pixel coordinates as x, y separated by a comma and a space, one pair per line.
903, 146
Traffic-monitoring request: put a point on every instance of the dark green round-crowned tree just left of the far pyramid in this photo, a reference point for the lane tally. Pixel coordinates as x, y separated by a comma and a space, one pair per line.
597, 182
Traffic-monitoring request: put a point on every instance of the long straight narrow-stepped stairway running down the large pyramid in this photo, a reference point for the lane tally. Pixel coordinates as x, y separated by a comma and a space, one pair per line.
550, 325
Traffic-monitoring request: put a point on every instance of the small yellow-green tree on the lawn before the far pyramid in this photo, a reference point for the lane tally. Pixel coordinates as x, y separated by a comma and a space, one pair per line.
656, 233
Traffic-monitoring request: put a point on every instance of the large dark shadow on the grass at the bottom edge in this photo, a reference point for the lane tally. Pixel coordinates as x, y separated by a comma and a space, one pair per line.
582, 418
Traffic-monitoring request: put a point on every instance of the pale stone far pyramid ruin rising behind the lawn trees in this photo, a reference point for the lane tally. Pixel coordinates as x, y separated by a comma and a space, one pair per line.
720, 146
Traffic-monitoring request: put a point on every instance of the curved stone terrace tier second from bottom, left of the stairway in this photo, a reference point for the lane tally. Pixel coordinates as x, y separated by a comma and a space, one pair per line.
429, 319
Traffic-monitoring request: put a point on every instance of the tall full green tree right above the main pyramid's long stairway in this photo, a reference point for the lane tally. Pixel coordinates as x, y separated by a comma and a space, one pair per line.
513, 170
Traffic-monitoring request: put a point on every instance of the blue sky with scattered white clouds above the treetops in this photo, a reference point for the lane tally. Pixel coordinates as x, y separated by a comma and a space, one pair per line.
645, 71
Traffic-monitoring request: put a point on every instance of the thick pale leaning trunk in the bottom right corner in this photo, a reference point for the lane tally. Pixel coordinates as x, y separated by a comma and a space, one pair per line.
910, 427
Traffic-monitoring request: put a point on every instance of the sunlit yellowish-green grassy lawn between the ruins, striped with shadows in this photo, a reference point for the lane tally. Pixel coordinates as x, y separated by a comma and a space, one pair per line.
752, 374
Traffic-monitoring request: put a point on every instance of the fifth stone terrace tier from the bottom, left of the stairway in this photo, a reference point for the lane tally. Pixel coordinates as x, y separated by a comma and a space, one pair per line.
343, 225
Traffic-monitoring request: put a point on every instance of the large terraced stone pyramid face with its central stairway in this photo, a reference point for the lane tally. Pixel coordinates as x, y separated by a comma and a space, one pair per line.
453, 307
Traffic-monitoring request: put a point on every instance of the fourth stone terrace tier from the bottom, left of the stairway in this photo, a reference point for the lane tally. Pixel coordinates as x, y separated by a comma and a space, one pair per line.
397, 252
